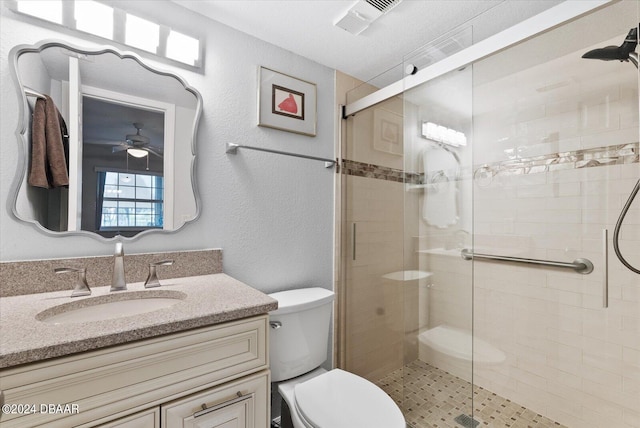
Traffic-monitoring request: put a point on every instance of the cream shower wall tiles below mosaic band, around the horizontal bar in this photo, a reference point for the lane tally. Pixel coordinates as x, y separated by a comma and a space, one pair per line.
567, 356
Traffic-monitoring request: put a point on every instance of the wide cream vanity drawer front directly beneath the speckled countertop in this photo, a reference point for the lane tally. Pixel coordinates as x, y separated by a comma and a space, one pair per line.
123, 379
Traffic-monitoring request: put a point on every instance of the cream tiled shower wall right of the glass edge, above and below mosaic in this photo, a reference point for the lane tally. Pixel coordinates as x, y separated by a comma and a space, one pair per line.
567, 357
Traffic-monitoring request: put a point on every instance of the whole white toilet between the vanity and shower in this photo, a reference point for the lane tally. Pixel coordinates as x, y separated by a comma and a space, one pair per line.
318, 398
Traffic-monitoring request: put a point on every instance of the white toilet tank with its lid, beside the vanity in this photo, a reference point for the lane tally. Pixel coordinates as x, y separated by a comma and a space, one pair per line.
299, 334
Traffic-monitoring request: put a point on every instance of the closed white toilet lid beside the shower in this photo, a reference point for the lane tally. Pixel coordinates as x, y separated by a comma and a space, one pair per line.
339, 399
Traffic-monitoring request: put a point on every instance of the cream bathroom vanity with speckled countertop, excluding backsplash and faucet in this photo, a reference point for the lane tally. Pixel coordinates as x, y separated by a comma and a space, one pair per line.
203, 358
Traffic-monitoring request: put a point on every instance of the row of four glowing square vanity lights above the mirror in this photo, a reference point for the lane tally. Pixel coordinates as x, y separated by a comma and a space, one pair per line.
110, 23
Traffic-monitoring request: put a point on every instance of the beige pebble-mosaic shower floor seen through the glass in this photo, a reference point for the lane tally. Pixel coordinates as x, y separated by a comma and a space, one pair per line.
434, 398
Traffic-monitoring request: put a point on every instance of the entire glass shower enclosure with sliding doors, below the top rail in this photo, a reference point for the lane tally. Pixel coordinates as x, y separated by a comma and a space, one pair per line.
527, 155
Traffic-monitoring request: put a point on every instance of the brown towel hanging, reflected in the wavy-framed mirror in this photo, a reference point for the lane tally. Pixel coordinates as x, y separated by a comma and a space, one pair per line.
49, 146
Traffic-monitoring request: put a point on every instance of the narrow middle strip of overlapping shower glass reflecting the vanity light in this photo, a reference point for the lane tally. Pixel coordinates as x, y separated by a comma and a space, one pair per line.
438, 374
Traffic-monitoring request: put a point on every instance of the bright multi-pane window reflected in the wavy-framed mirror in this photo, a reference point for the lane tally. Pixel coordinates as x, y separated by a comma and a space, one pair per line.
129, 200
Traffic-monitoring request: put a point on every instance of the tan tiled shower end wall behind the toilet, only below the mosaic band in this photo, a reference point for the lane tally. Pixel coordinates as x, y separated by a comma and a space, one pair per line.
374, 316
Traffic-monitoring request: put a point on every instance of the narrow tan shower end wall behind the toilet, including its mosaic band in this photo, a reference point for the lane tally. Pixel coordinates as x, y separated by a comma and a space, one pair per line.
372, 314
